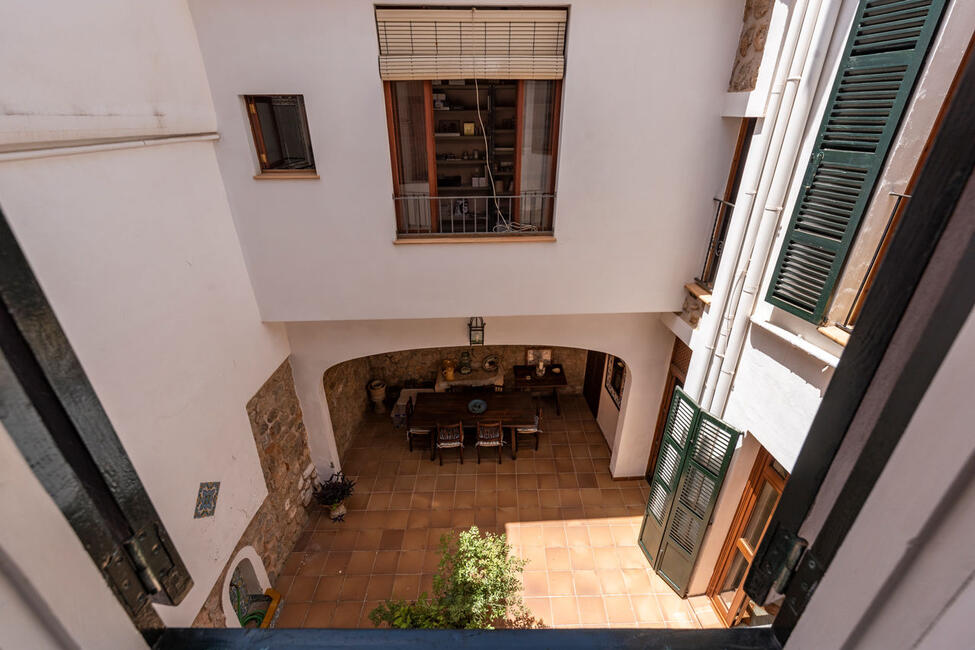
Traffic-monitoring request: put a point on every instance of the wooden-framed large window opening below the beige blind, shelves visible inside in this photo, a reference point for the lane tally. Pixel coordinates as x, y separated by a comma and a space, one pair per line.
458, 148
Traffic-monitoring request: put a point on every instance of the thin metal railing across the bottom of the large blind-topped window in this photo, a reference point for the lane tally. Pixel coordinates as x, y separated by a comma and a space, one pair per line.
474, 214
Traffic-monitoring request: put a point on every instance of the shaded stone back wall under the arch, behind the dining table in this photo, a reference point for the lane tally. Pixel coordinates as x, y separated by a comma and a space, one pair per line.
348, 399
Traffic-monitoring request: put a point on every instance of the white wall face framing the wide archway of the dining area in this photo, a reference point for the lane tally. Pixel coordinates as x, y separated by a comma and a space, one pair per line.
640, 339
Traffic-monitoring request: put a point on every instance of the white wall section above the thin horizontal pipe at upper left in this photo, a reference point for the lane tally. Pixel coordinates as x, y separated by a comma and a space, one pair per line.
100, 69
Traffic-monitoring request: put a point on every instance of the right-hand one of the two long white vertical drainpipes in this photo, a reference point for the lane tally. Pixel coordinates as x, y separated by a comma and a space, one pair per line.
773, 203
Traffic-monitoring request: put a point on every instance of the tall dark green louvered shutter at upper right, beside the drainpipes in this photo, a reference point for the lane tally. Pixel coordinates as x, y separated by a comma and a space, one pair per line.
880, 65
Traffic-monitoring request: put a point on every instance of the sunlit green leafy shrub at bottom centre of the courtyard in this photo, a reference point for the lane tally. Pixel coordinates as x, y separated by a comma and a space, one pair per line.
477, 586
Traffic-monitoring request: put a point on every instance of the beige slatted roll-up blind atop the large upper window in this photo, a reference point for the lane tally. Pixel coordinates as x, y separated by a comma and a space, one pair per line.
421, 44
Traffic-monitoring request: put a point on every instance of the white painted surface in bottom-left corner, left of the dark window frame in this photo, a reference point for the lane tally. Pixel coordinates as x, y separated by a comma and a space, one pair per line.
46, 553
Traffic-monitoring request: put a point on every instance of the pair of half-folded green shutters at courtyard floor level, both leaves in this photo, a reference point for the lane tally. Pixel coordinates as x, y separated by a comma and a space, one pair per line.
693, 459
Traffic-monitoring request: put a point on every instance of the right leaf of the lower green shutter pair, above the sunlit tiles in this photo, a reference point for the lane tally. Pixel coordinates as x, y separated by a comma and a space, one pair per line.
709, 453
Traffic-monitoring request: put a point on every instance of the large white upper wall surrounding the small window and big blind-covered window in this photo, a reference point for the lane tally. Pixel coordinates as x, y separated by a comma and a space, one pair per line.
643, 150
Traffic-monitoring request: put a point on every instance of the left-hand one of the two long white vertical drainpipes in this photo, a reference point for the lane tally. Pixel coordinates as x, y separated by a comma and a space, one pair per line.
702, 361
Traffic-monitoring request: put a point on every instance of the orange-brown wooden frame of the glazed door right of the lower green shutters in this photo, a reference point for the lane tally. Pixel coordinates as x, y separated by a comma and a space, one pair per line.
762, 472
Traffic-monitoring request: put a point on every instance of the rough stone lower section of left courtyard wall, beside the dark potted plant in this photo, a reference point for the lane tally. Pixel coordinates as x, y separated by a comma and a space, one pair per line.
282, 446
